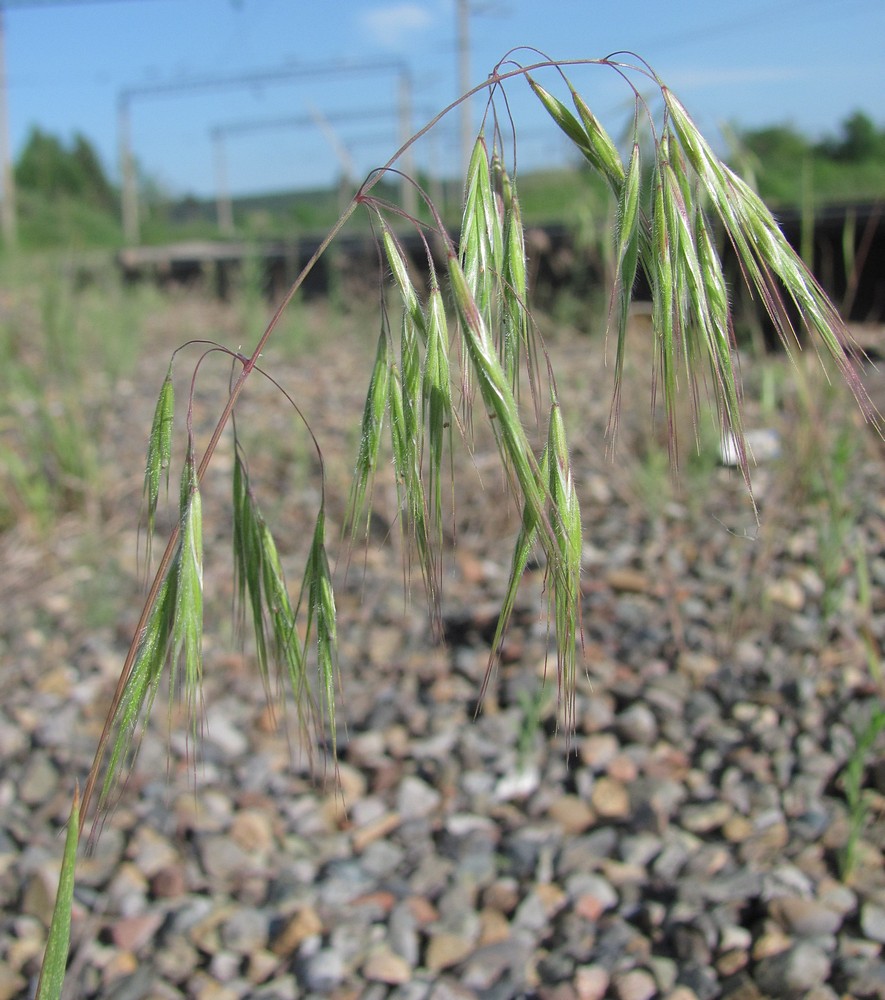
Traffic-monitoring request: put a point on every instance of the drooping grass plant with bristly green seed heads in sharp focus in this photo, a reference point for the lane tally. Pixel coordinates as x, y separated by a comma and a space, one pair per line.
458, 350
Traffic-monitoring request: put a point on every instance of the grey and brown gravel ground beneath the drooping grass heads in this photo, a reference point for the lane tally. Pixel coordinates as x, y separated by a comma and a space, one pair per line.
683, 842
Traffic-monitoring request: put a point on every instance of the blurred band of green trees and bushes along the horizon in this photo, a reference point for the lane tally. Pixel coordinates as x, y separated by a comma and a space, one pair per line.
66, 199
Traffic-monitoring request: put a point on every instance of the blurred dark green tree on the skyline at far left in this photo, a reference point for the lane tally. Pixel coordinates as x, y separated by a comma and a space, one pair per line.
47, 167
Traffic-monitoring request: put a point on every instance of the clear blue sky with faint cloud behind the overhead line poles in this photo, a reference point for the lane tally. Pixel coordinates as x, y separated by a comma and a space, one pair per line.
806, 62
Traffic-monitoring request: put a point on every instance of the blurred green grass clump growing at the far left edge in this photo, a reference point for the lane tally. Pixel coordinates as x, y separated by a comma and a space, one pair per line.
63, 350
